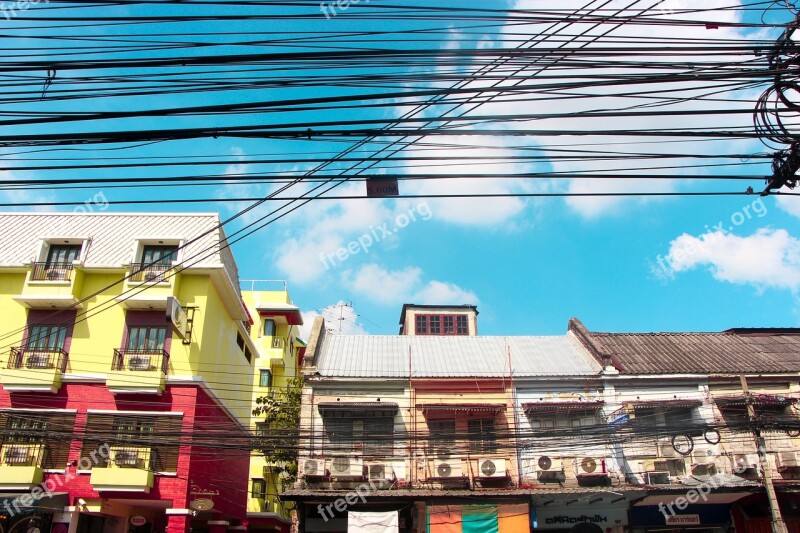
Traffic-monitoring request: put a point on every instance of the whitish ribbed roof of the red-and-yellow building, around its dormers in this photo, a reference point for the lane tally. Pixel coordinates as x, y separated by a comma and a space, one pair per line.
112, 236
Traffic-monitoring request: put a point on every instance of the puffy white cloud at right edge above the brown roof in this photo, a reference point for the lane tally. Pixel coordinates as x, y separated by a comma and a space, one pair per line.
768, 258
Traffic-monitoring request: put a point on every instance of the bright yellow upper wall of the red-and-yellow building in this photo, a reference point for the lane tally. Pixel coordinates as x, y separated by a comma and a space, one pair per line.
213, 354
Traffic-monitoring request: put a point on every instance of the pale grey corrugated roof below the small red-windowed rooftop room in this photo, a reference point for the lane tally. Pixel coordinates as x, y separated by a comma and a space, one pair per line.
452, 356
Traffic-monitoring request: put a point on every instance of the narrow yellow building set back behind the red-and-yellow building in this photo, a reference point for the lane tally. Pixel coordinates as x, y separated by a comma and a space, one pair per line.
274, 332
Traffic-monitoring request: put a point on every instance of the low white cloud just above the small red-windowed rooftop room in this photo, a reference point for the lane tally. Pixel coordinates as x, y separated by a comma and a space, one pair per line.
404, 286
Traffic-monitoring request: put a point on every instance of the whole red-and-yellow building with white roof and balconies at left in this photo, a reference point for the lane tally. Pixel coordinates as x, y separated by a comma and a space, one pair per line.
126, 367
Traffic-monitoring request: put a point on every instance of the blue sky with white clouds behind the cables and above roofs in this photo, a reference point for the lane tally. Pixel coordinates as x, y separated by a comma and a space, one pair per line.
619, 264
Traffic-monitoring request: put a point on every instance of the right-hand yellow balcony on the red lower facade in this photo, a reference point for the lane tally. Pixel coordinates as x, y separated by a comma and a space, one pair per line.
127, 468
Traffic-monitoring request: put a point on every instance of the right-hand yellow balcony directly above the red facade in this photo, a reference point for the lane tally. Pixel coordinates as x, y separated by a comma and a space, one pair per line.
138, 371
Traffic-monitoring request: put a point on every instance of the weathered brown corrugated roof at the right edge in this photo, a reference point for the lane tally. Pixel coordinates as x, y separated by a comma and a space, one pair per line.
699, 353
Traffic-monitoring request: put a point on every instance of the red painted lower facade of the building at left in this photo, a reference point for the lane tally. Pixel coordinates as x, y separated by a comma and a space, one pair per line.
206, 468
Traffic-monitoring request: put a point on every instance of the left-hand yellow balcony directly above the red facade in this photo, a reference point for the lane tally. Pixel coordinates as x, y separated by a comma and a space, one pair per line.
34, 369
